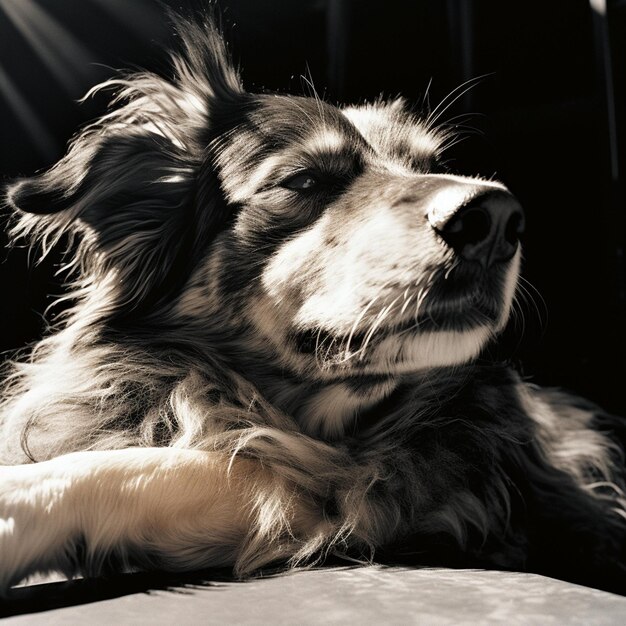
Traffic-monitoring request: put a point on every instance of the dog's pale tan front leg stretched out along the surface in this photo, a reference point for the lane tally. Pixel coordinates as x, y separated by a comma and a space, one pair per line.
145, 507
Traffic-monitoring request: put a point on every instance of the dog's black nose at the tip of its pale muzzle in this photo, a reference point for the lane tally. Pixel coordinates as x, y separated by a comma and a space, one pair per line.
486, 229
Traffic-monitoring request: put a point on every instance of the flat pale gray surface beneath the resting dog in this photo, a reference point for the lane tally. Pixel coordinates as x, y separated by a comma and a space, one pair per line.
360, 595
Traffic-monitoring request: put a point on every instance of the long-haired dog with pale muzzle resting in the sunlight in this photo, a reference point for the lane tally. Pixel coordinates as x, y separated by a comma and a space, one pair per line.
277, 351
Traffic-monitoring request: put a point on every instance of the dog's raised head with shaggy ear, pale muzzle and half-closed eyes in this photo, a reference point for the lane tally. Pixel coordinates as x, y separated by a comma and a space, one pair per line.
329, 238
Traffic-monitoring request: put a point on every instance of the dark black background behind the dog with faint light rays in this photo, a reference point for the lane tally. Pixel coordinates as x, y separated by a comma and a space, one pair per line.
547, 119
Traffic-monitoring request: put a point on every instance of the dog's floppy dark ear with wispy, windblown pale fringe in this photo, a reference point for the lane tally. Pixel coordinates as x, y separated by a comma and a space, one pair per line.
127, 186
